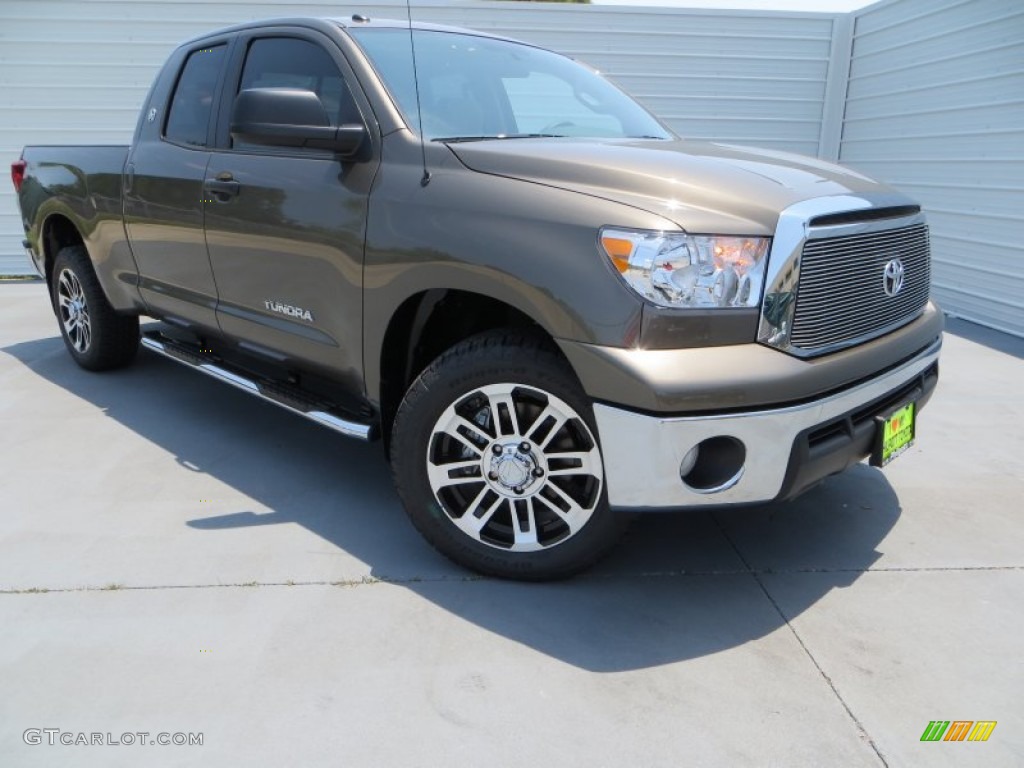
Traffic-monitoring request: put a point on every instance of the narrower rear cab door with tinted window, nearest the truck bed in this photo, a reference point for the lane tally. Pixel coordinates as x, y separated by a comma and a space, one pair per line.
164, 187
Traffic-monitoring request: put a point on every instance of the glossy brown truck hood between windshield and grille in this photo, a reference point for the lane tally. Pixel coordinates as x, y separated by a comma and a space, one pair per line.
704, 188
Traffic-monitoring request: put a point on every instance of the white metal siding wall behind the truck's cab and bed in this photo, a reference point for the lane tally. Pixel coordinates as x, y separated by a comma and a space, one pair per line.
76, 71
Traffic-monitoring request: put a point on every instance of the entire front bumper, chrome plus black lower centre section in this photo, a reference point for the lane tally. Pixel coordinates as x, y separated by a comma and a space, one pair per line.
753, 456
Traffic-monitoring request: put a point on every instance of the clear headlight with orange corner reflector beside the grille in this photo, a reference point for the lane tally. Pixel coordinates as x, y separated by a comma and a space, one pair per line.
676, 270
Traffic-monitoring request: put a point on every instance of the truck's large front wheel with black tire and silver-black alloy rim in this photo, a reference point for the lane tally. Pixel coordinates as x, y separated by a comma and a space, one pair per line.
497, 462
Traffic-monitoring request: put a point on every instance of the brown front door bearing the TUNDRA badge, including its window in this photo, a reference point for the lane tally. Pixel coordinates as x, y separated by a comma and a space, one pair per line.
286, 239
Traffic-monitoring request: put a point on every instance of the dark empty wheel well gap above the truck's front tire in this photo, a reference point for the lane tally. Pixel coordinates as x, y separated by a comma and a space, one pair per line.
424, 327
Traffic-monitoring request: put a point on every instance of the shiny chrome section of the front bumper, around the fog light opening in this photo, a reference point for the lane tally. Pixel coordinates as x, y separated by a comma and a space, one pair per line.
644, 454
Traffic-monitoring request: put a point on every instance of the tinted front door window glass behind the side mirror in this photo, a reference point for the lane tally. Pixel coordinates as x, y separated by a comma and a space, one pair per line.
290, 63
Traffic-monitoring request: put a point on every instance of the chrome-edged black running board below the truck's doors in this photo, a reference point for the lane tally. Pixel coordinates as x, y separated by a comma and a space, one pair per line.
290, 399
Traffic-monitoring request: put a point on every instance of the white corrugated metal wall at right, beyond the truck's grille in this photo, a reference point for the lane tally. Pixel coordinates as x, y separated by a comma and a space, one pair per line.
935, 107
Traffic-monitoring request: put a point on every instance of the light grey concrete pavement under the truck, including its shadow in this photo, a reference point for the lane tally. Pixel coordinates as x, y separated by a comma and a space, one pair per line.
178, 558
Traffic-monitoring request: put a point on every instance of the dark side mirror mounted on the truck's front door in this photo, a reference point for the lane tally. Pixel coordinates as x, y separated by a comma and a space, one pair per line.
291, 117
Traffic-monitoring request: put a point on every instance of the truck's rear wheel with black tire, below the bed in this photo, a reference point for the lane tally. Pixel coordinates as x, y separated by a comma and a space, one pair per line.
97, 336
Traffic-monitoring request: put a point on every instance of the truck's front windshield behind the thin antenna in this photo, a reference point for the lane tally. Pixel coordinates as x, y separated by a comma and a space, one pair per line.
475, 89
